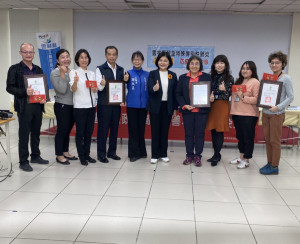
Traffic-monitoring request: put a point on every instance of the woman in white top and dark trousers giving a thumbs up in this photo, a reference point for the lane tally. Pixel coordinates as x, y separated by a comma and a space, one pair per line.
84, 103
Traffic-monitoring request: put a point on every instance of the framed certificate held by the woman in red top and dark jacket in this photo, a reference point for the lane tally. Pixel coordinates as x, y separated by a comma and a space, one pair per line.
200, 94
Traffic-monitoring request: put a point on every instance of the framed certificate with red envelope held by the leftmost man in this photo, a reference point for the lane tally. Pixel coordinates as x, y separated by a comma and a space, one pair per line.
40, 88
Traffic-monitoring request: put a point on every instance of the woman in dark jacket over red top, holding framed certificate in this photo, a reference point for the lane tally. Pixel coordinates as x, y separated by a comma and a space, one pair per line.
194, 119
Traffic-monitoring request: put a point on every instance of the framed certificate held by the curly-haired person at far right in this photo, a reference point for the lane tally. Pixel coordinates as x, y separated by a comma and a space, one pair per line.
269, 93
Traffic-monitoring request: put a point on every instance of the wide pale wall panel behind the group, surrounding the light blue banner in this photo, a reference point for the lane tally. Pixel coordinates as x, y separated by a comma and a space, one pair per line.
240, 37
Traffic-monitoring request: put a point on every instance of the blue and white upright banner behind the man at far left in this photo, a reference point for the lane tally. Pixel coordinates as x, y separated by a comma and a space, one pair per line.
48, 44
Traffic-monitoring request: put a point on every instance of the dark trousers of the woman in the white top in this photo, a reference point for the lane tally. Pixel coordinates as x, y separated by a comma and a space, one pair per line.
84, 119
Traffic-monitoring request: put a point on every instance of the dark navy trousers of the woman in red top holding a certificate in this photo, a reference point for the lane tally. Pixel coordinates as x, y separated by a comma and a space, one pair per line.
194, 127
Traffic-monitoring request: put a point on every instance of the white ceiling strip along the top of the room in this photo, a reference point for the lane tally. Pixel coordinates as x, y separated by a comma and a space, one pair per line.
256, 6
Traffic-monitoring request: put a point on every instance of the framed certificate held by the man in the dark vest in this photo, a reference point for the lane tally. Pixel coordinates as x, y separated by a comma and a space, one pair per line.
115, 92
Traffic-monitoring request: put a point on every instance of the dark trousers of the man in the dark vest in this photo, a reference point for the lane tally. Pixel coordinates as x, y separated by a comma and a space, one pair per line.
108, 120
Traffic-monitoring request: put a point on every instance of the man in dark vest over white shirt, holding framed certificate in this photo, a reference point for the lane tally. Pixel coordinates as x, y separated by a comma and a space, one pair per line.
108, 115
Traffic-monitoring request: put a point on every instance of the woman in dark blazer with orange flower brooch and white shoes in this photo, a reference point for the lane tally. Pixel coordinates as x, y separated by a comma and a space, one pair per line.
162, 105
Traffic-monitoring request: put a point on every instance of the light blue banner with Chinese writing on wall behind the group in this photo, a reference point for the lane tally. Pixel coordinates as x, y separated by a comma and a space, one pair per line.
180, 55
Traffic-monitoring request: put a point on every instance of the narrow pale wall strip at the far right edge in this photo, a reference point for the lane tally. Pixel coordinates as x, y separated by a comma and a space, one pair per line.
294, 66
